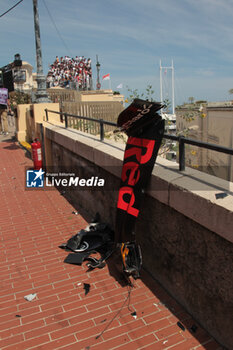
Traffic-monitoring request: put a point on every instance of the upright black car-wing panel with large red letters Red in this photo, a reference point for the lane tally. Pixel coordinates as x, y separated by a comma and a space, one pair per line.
145, 129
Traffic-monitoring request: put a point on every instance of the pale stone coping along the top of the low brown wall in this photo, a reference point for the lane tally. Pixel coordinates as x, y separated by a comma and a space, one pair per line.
191, 192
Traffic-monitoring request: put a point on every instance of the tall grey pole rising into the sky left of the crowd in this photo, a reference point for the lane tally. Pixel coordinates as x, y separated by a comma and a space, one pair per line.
41, 93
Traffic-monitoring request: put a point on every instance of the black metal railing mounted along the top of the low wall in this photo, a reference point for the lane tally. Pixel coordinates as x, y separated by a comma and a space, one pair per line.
180, 139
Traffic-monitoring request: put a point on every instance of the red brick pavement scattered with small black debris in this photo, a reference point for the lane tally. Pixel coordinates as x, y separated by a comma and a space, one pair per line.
32, 225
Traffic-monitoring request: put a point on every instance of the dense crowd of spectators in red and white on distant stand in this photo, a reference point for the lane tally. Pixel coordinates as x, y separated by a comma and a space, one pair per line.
69, 72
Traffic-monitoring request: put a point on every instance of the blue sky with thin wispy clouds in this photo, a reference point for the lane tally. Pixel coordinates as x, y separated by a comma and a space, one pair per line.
130, 38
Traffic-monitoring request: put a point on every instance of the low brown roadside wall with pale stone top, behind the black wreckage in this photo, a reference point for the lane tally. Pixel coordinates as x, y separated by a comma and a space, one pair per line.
184, 231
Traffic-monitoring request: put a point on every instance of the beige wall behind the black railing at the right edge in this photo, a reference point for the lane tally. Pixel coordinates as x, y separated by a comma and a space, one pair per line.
212, 123
